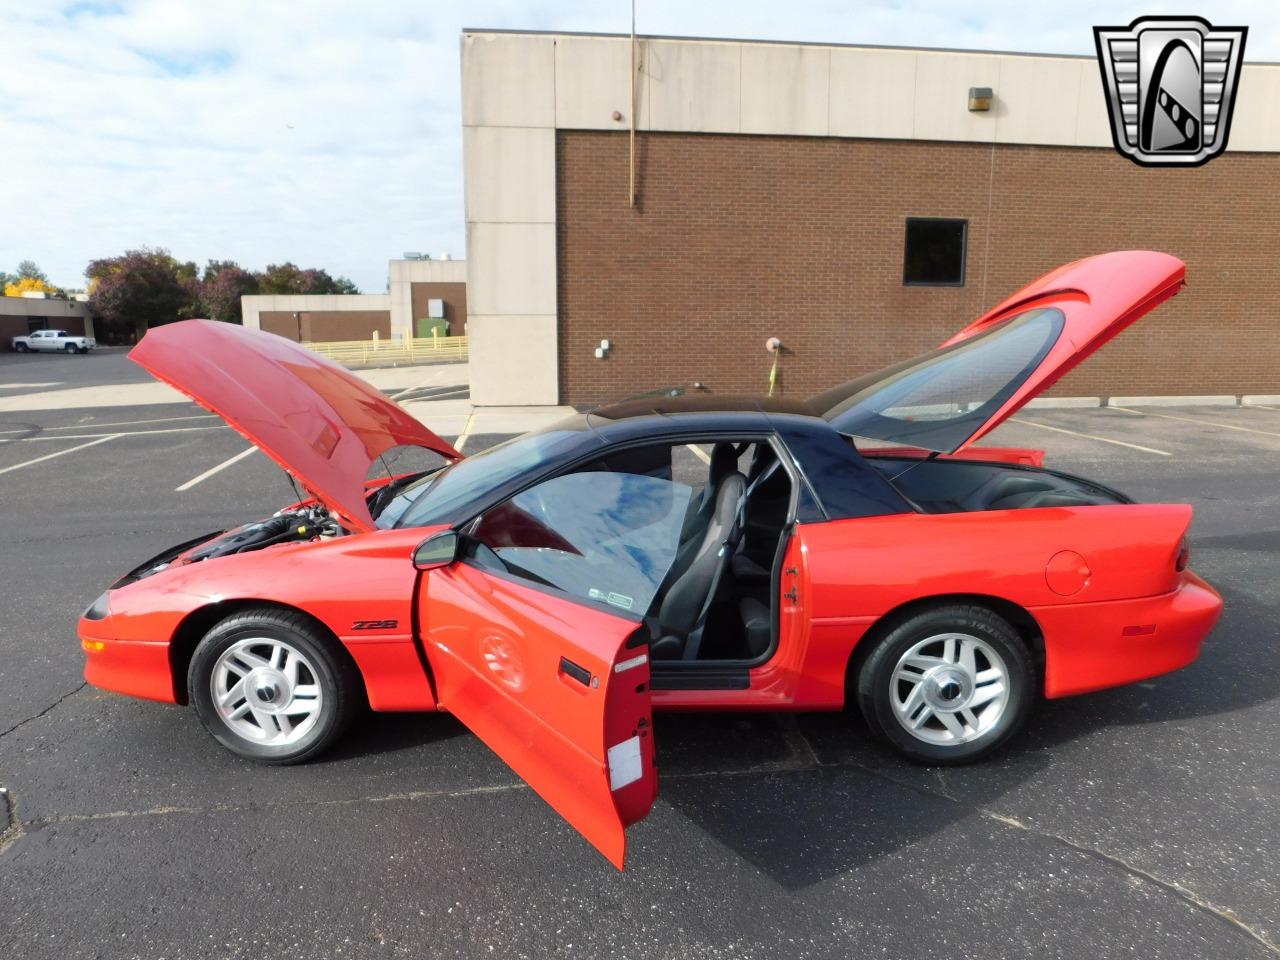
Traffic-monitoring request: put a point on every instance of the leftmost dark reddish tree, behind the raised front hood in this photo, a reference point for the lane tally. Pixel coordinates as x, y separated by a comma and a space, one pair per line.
140, 290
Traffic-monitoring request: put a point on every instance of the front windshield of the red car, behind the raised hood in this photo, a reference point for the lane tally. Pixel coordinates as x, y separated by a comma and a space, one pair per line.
444, 497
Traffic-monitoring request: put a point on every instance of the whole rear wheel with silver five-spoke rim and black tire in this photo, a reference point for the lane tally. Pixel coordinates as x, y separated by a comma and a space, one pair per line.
949, 685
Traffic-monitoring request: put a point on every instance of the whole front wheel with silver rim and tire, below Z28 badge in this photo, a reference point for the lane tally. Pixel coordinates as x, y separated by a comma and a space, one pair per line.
269, 685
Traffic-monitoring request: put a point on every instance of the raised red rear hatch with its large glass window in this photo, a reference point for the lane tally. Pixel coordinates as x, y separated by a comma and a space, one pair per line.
950, 397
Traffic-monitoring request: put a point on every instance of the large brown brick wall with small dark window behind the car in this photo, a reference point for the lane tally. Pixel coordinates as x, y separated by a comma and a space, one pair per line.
738, 239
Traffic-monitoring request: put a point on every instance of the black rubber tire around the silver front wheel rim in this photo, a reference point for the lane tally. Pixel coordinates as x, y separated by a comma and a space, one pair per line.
332, 673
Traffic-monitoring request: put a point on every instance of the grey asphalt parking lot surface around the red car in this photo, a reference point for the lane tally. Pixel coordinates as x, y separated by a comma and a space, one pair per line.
1139, 822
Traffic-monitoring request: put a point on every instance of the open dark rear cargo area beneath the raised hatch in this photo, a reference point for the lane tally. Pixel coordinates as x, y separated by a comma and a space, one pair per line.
963, 486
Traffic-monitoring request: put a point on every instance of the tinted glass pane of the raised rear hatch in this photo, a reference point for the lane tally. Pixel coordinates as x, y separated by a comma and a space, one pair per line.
939, 400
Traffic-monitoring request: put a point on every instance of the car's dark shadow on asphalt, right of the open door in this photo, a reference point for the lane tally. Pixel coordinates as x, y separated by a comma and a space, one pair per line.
807, 799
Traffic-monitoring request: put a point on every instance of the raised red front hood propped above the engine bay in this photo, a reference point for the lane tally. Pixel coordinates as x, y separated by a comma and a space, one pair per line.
321, 423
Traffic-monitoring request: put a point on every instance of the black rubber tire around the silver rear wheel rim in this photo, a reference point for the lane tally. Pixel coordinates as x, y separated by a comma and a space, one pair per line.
877, 689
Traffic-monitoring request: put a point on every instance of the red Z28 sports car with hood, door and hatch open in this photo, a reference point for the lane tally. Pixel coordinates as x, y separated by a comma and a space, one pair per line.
683, 554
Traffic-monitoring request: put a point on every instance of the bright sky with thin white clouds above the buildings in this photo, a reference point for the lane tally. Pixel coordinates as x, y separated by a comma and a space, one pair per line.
330, 134
